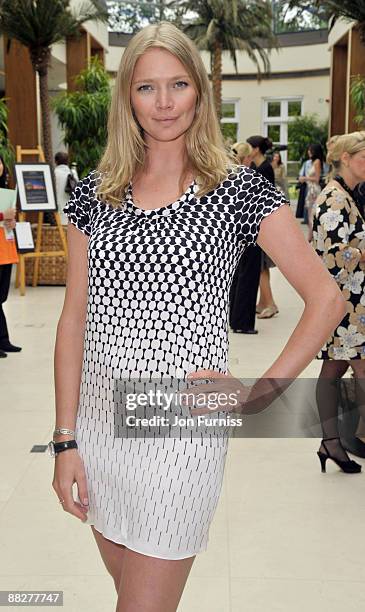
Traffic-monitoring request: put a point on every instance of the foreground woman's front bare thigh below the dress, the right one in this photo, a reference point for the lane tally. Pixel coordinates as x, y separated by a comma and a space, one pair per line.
149, 584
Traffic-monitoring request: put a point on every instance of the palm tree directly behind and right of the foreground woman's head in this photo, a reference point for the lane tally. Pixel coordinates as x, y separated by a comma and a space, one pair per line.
231, 25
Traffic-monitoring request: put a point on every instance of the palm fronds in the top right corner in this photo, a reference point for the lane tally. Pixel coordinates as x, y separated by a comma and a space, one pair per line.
351, 10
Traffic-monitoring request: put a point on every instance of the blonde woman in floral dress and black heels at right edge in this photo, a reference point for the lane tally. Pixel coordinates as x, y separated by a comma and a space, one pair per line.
339, 239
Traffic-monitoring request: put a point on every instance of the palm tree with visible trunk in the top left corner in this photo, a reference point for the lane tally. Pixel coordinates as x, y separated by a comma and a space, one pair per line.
38, 24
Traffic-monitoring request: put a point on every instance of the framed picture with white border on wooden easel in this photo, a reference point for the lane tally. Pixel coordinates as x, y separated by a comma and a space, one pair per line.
35, 187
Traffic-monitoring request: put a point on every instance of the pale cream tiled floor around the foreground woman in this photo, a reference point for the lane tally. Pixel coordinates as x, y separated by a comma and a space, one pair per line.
285, 537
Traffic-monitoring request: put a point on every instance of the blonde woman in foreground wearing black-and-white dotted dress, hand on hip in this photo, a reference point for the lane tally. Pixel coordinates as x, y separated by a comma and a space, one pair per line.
154, 237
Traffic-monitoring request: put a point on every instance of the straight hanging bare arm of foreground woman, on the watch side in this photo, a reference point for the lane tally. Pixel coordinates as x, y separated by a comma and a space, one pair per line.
70, 332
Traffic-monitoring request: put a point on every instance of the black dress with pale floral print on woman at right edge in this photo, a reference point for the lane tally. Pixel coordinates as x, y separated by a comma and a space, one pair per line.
338, 234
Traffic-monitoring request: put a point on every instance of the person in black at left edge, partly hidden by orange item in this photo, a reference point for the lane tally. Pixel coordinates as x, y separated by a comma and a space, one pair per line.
8, 218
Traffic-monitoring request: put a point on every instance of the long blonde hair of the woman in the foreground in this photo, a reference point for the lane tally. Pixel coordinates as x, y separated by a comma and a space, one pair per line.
125, 148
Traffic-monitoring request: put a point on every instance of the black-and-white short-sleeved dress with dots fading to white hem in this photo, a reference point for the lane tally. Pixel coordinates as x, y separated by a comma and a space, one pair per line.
158, 288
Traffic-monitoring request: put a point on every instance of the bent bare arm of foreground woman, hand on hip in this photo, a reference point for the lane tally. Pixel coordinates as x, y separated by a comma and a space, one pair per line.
324, 306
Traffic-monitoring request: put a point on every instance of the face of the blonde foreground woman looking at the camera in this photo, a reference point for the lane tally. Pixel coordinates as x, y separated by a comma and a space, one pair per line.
162, 95
